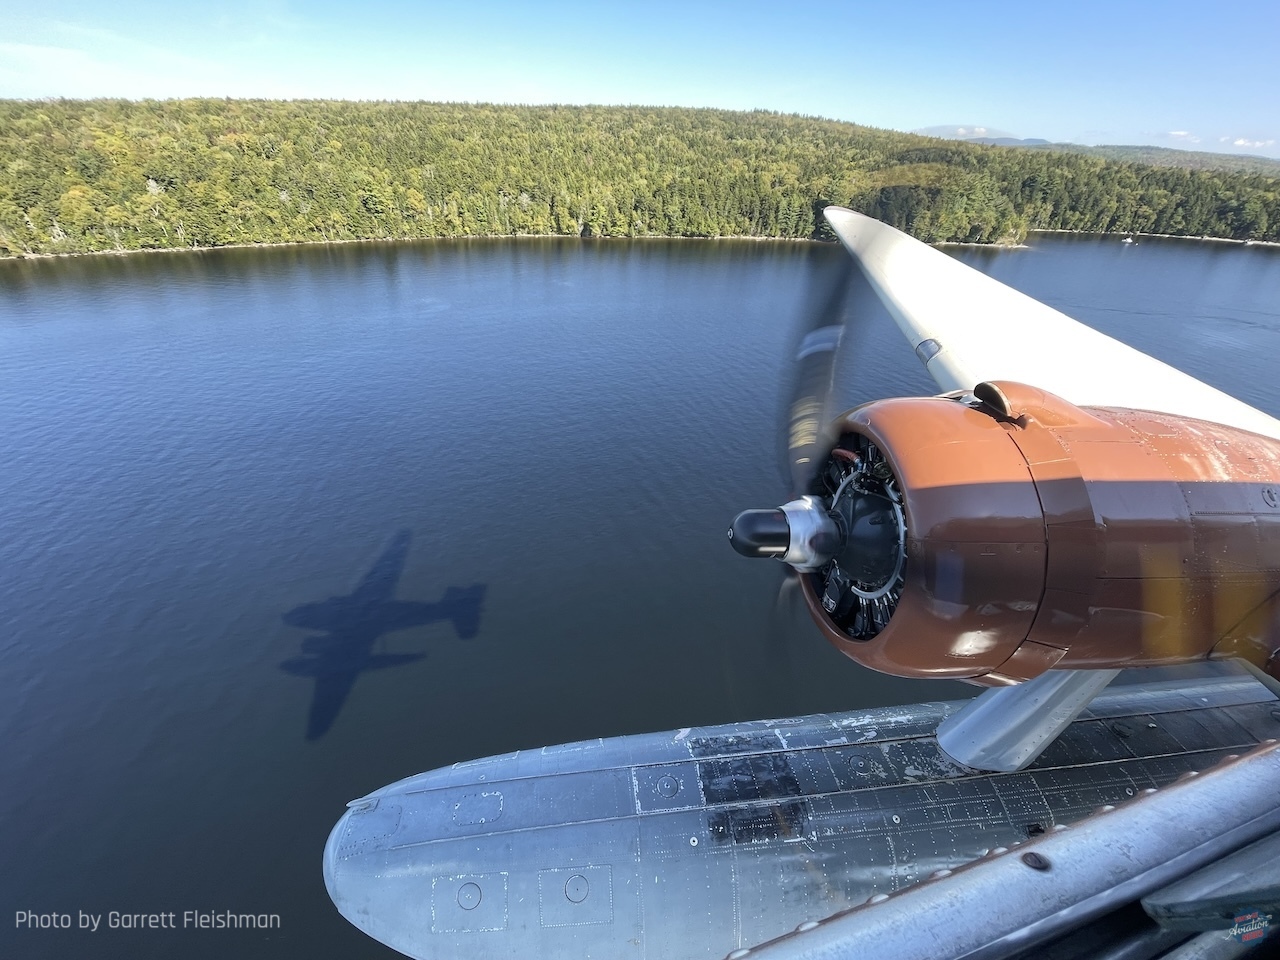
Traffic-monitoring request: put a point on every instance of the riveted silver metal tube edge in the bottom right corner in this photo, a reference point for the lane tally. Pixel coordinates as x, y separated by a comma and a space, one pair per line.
1133, 851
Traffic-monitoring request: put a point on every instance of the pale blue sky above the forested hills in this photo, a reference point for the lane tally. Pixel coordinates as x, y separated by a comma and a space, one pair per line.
1188, 75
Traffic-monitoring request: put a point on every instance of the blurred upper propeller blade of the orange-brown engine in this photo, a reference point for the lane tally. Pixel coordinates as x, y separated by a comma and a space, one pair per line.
822, 328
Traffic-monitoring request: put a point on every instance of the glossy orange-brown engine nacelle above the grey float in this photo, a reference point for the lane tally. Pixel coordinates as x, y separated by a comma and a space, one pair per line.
1034, 534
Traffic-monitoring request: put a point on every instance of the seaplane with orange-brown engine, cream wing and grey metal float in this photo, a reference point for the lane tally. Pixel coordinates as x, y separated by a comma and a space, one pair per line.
1086, 533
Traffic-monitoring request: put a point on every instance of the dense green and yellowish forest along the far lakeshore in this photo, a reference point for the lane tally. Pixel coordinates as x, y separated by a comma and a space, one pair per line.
115, 175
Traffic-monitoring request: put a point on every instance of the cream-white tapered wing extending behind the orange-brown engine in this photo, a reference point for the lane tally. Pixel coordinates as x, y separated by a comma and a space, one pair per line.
985, 331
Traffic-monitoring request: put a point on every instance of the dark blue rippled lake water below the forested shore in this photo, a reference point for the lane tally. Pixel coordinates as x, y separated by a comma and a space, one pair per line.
513, 464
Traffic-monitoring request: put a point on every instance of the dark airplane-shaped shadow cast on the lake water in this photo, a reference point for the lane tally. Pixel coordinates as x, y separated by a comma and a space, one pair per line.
353, 627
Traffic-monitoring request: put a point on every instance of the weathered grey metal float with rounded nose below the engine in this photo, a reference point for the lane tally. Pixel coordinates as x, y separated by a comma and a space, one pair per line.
808, 816
